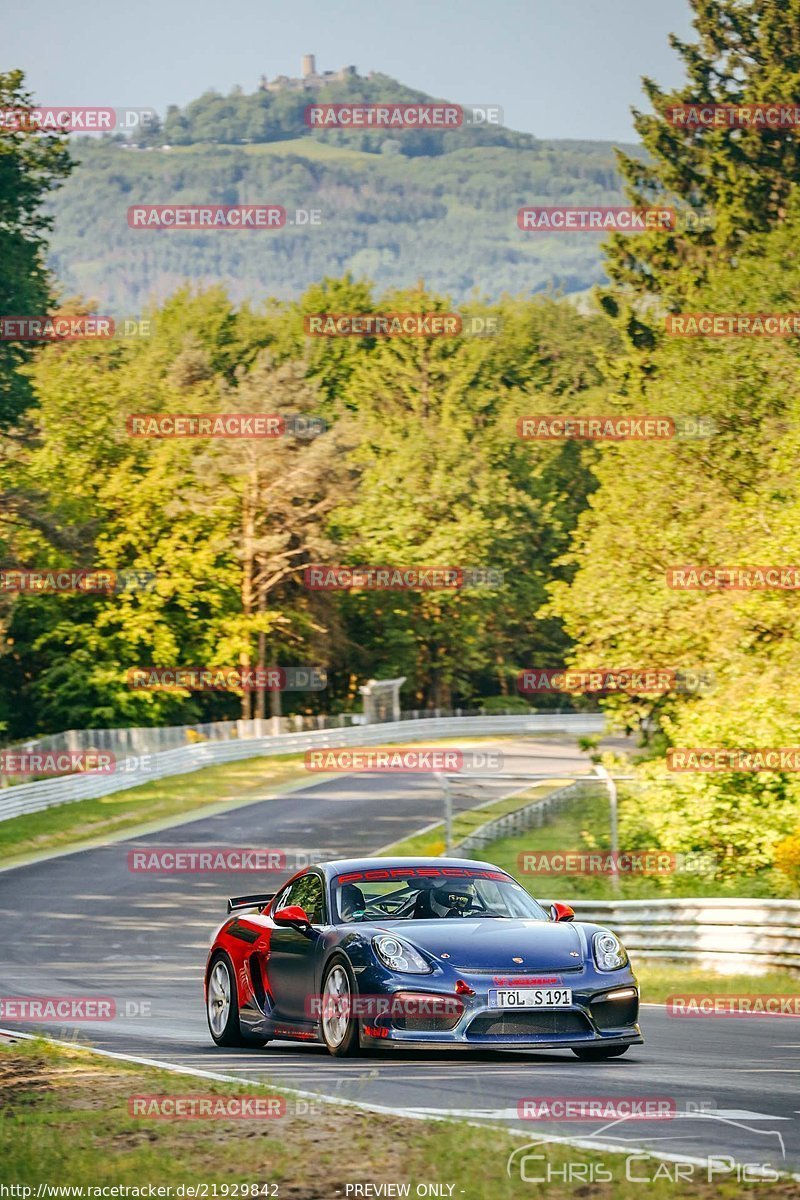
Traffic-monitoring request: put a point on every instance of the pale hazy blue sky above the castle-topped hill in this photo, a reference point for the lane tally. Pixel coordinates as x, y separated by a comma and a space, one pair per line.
560, 69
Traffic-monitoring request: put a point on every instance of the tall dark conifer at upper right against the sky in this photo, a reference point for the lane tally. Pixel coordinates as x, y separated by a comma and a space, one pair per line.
737, 181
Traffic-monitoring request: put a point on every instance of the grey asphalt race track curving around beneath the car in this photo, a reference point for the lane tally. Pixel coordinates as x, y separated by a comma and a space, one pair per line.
85, 925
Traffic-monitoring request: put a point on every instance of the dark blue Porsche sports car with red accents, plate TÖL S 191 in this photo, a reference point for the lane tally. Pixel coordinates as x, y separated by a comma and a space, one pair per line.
416, 953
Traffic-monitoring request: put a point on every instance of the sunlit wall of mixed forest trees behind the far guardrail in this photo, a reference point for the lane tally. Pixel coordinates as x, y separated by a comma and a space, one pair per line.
420, 466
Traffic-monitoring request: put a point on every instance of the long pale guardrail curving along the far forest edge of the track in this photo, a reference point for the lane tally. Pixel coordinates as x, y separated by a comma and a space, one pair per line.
45, 794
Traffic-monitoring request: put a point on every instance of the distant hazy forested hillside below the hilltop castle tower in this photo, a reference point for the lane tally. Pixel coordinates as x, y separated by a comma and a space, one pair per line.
446, 213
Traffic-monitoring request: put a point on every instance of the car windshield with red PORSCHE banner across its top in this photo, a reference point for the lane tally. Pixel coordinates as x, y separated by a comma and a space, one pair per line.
402, 895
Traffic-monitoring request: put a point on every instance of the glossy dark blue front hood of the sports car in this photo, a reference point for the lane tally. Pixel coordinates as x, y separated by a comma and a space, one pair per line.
495, 944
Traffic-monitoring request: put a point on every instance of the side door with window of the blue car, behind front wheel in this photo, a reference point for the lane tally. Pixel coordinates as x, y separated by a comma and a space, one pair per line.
293, 953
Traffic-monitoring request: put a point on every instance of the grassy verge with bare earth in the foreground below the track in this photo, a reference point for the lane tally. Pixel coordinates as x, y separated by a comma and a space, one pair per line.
65, 1121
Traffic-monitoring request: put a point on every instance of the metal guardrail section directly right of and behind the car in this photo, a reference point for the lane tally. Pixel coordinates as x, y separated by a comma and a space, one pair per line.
731, 935
